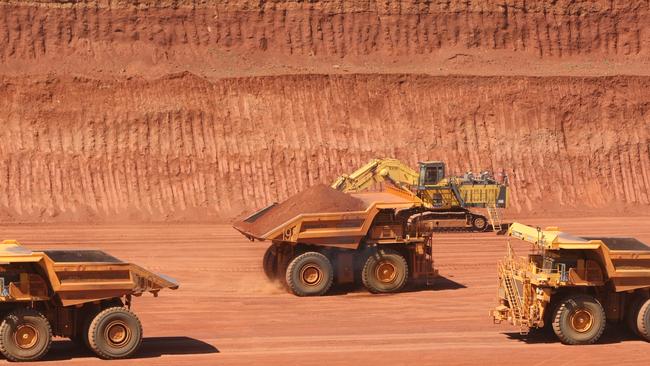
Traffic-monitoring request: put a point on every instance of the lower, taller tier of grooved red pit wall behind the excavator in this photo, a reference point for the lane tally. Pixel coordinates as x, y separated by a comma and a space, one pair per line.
185, 148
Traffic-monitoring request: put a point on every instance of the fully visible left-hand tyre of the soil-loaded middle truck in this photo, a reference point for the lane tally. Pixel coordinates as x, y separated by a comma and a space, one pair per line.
310, 274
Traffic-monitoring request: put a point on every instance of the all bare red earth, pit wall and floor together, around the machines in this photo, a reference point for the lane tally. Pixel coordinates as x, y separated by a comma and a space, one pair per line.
178, 110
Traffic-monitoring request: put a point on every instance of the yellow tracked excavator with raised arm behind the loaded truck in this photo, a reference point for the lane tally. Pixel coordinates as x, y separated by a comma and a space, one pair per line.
450, 203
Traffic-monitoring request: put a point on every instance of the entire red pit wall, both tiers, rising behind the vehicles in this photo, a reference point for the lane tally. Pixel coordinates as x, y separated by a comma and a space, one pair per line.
201, 111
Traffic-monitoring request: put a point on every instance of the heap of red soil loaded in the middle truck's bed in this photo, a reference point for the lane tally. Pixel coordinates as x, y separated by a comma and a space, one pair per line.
319, 198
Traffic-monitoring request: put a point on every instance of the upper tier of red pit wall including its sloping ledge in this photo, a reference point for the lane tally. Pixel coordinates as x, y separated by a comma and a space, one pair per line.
216, 37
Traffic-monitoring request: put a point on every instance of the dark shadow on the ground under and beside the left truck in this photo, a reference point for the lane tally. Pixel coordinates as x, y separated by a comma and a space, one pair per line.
152, 347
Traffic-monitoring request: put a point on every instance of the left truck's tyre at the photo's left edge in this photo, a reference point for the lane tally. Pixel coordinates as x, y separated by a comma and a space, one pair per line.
25, 335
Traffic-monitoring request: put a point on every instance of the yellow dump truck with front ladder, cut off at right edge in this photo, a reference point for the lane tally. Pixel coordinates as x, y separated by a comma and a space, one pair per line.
575, 285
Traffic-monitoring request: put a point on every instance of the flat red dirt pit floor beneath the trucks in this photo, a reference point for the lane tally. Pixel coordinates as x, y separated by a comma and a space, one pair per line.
226, 313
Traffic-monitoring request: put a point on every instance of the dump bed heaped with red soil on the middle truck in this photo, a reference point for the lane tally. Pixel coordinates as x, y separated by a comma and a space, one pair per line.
324, 216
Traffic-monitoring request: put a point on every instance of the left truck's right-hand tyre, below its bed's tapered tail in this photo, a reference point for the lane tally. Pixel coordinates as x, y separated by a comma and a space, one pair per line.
115, 333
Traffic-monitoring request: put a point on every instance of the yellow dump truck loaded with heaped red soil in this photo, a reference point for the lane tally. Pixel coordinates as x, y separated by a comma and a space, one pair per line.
321, 236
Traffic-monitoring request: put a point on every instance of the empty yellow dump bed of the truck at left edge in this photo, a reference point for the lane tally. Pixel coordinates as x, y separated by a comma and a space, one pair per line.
74, 276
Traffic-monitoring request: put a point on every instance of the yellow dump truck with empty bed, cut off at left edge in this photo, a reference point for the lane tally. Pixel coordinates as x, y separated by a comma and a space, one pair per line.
84, 295
